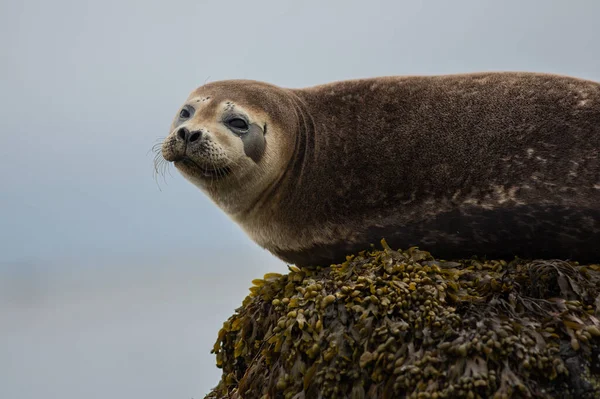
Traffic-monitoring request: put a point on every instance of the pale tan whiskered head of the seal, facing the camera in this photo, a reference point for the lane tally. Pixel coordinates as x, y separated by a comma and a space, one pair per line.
232, 140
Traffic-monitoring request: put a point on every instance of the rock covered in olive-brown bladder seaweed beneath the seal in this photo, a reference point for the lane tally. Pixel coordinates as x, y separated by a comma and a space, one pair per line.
389, 324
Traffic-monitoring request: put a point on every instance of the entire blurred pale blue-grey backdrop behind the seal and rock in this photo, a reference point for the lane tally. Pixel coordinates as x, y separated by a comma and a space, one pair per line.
110, 287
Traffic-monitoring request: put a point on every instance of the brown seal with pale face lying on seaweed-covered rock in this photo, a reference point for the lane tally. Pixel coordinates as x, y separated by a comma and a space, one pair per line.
488, 164
